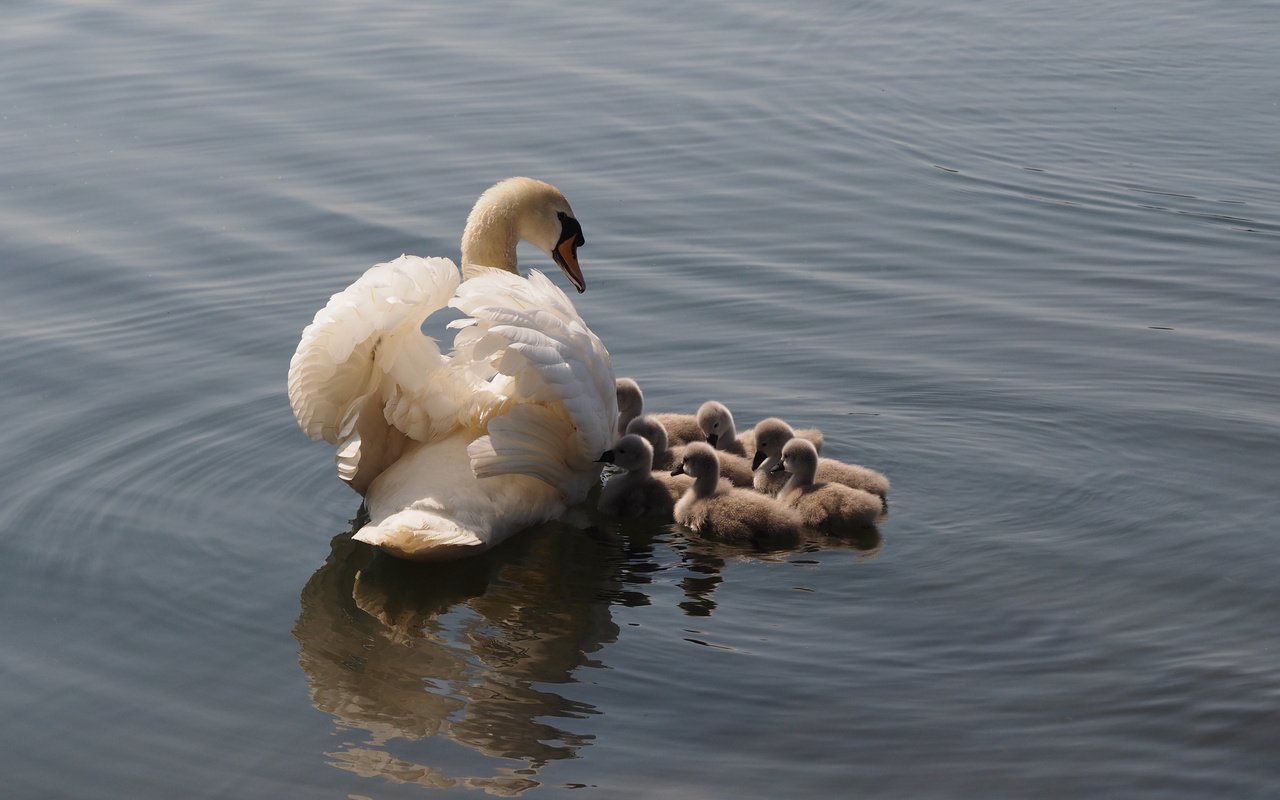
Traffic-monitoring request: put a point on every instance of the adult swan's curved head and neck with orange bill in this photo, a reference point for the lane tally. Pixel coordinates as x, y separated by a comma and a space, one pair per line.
523, 209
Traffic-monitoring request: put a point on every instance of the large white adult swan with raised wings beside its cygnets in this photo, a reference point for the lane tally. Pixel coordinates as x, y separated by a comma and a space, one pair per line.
456, 452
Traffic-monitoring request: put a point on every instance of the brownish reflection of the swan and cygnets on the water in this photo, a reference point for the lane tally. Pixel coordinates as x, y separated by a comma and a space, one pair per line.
474, 653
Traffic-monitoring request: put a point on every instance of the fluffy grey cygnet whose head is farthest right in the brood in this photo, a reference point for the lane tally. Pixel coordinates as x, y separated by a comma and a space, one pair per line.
830, 508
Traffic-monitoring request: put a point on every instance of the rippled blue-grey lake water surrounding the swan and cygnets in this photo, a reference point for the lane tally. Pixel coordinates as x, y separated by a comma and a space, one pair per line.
1025, 258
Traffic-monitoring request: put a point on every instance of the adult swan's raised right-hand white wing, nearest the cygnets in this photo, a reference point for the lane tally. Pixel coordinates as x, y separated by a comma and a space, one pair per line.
555, 373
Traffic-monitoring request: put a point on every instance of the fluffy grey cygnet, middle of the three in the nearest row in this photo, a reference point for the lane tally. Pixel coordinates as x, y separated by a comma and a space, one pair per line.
732, 514
